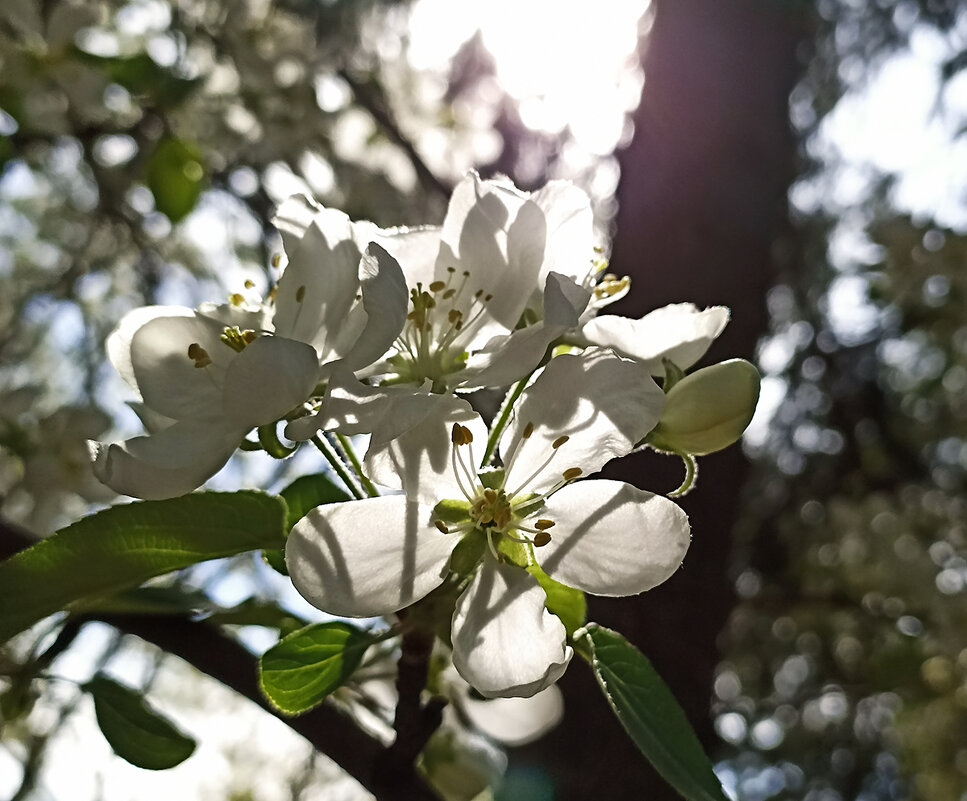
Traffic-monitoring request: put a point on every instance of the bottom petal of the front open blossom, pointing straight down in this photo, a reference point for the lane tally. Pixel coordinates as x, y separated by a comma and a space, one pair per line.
505, 642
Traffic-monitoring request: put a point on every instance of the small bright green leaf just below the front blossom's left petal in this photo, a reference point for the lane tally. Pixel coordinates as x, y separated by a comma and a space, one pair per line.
299, 671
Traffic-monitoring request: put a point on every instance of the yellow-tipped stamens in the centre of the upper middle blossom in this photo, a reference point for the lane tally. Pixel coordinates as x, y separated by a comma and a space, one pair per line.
429, 346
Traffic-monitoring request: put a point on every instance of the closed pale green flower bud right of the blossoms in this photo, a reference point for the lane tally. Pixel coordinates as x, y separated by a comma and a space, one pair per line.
708, 410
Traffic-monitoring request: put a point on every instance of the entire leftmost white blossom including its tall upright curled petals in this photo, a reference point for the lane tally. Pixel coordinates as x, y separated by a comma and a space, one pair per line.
206, 377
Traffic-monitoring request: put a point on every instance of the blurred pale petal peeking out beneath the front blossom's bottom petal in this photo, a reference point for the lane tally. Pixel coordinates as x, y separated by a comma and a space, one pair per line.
516, 721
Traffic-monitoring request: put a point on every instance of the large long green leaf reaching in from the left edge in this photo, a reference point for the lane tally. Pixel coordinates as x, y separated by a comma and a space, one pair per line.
125, 545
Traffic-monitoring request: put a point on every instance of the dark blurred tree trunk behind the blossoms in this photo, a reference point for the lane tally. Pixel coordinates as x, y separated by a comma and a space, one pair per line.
702, 208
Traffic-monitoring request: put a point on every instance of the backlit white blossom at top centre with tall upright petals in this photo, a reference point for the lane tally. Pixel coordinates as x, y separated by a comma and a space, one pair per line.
471, 284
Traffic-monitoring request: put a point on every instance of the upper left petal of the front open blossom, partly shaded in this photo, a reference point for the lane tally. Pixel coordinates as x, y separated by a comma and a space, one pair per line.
418, 460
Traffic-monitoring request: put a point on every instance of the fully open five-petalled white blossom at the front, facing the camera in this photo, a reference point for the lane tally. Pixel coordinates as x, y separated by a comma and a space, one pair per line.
376, 556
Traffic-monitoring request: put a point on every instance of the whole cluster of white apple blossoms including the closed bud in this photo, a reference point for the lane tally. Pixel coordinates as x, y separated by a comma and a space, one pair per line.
388, 333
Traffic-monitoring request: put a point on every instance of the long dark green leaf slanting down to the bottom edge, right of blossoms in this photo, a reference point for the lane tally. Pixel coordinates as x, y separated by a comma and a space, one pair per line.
651, 715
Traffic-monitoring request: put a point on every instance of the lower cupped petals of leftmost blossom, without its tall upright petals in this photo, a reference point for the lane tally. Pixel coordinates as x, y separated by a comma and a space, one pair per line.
201, 387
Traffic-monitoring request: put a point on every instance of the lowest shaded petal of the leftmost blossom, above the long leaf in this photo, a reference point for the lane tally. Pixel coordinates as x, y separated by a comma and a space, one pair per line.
166, 464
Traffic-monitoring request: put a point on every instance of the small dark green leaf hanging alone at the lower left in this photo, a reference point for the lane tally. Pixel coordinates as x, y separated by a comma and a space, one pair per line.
137, 732
